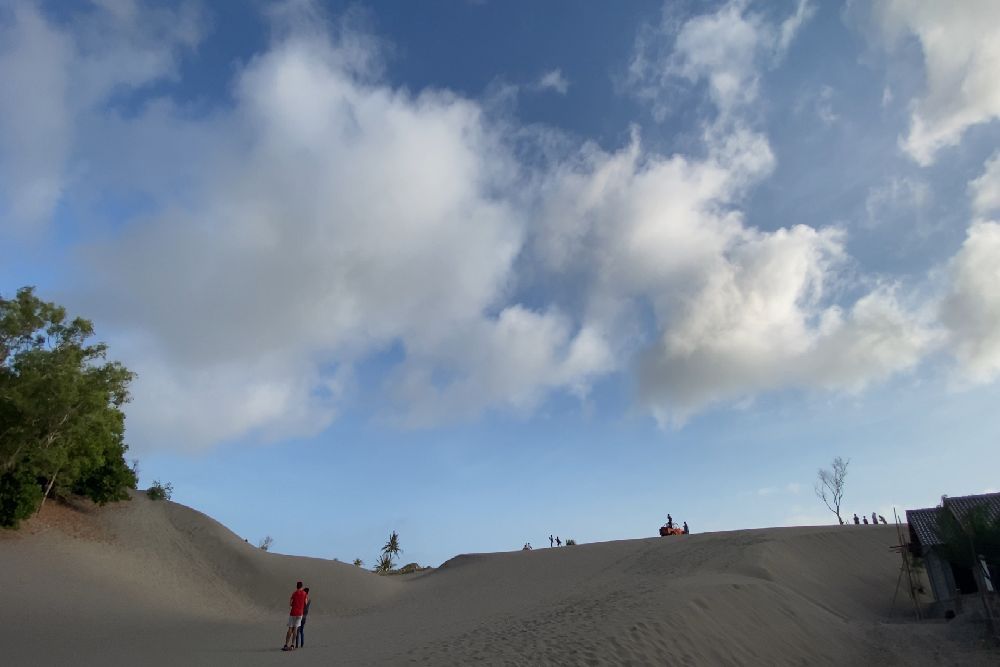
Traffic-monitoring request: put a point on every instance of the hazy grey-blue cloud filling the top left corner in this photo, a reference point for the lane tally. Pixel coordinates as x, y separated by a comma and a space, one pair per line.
53, 78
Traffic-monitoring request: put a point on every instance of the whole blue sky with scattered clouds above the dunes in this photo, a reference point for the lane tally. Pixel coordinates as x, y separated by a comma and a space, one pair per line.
482, 272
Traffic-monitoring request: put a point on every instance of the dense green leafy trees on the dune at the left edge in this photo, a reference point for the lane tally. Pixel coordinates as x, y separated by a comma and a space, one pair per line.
62, 429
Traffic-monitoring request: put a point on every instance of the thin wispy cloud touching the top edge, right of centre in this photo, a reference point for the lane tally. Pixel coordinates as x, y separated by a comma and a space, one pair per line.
726, 49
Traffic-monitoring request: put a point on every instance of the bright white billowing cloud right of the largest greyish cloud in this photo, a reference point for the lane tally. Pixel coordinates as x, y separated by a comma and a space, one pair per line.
737, 311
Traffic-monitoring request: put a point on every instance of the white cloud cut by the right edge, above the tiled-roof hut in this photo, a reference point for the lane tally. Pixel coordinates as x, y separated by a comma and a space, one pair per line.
971, 309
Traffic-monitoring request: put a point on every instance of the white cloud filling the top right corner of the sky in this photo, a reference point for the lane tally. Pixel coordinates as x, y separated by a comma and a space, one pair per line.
961, 47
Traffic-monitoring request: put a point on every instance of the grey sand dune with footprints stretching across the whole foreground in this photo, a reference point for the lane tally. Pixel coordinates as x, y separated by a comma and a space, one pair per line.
157, 583
